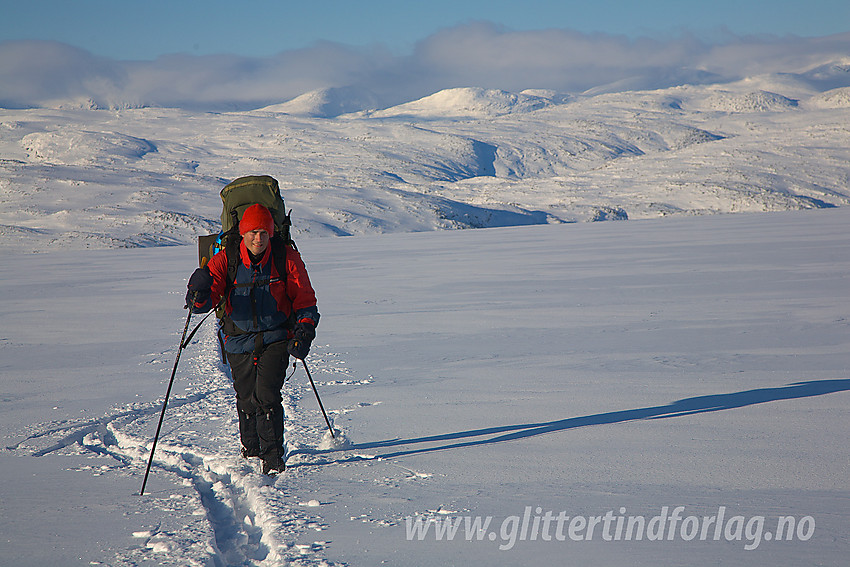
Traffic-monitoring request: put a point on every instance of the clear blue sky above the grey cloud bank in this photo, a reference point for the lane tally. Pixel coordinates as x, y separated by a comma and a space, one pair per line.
145, 30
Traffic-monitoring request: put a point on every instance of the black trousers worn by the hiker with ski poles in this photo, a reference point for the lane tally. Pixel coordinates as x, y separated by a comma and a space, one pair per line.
258, 380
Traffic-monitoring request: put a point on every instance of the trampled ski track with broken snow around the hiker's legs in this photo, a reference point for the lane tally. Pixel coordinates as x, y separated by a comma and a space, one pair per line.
250, 519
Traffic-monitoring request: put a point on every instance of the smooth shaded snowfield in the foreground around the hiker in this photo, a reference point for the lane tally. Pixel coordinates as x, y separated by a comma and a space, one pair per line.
623, 369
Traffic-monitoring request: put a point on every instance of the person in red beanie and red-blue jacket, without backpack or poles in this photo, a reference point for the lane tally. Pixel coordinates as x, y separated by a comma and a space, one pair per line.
266, 320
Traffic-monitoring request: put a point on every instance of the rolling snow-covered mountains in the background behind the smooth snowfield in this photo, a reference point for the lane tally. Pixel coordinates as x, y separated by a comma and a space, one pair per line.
459, 158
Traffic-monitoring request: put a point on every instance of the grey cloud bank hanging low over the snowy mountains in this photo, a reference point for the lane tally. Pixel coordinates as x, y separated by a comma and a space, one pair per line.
480, 54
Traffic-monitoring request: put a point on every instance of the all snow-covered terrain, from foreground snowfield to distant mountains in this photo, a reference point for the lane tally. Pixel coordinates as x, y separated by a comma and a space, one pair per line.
653, 392
